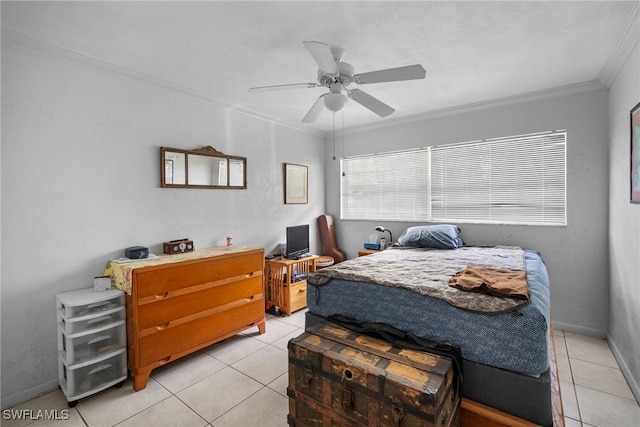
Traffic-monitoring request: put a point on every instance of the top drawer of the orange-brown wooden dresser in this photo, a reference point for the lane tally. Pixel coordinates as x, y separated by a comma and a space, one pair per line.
155, 281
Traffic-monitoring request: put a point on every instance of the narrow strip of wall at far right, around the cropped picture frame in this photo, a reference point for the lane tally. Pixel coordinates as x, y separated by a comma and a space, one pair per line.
624, 224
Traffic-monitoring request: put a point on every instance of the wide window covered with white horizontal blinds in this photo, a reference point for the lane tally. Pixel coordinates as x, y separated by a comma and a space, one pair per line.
514, 180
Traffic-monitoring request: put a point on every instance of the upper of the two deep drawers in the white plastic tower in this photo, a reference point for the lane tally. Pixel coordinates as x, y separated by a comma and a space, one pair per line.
91, 344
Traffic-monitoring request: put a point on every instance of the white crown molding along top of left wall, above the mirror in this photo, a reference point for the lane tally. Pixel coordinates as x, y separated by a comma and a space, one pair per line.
71, 57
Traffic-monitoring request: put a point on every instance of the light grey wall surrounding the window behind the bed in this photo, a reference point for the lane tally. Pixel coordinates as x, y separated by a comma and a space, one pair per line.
576, 255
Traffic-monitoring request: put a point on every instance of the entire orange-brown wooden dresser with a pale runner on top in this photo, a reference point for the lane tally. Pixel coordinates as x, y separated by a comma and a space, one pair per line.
182, 303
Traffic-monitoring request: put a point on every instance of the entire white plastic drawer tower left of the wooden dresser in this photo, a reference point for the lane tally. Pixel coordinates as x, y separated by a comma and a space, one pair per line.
92, 353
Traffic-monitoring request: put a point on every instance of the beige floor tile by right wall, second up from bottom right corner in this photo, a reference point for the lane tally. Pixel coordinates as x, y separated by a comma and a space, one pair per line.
599, 377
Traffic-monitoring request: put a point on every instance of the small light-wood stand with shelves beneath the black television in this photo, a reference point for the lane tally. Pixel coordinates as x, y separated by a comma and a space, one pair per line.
286, 282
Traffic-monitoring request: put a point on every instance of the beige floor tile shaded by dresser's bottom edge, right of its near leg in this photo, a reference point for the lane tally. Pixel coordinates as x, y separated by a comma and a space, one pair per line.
186, 371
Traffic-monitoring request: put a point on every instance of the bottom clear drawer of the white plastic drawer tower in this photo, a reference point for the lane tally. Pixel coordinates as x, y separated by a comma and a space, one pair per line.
83, 379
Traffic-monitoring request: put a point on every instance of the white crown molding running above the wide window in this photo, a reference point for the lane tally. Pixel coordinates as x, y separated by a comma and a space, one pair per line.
574, 89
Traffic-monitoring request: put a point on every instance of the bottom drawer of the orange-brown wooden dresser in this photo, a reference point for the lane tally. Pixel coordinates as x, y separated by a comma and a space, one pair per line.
160, 345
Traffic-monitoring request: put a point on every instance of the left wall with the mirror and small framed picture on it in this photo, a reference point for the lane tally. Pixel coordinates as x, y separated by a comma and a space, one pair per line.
81, 181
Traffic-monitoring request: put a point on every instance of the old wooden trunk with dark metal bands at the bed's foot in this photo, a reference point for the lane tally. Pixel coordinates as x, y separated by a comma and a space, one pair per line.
340, 378
